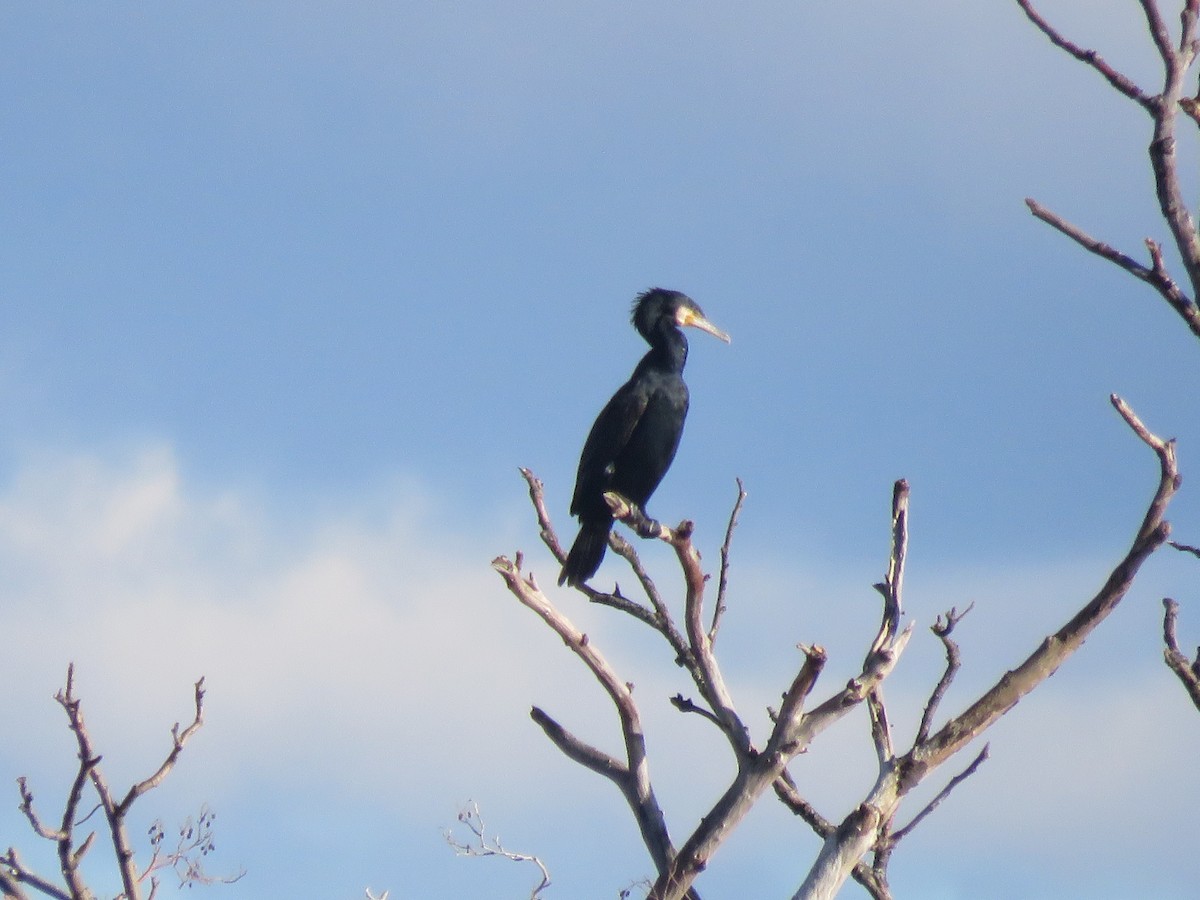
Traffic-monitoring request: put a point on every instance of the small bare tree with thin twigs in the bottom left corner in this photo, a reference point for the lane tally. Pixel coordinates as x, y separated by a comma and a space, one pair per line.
187, 859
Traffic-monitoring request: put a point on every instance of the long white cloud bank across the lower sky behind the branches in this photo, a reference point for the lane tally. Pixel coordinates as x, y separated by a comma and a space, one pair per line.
374, 657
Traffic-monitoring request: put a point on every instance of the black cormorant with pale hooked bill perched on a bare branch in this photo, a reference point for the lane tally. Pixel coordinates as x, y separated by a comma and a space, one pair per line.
635, 437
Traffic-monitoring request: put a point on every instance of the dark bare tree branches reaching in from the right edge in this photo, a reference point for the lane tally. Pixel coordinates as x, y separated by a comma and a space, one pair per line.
1178, 53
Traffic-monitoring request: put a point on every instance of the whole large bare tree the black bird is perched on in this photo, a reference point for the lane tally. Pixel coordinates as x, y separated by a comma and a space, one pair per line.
871, 830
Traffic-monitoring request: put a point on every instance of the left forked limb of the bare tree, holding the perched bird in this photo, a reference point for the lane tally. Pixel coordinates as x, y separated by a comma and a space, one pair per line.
758, 770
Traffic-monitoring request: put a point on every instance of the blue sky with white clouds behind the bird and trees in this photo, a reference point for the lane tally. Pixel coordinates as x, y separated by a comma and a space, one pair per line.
290, 292
